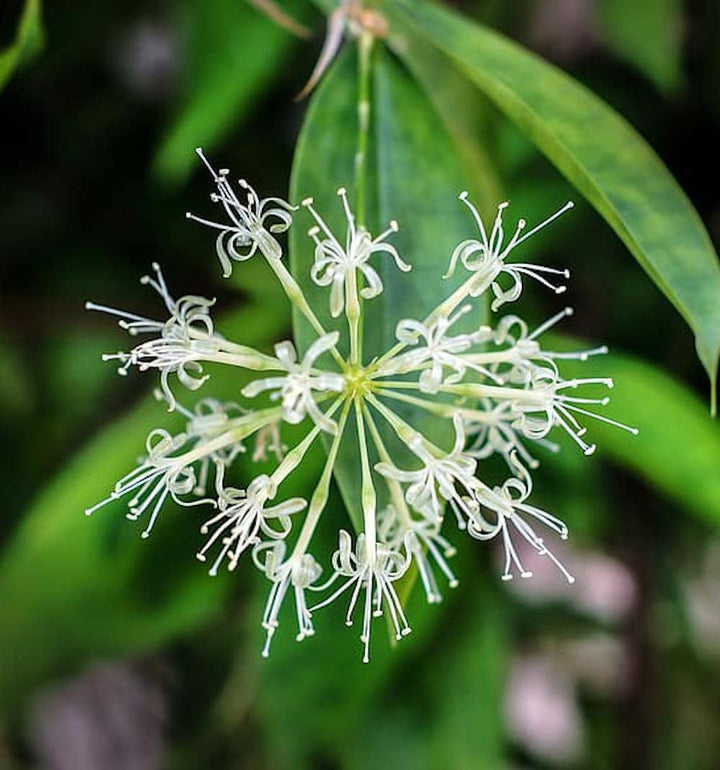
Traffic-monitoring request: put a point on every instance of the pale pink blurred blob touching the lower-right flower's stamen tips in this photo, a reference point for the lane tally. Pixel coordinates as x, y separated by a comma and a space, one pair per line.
604, 588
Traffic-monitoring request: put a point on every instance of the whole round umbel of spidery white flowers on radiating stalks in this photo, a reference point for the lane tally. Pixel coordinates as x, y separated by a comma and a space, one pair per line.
498, 388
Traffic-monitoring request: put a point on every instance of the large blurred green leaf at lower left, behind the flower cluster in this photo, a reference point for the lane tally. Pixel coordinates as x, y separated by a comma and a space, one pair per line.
76, 588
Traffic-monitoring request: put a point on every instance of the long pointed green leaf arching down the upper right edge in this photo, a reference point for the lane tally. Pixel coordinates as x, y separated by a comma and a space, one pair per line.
599, 153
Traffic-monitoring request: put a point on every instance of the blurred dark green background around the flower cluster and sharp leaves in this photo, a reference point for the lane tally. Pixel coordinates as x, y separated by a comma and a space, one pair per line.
117, 653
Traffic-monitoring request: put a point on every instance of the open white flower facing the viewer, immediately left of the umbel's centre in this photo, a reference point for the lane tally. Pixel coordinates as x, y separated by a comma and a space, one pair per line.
296, 388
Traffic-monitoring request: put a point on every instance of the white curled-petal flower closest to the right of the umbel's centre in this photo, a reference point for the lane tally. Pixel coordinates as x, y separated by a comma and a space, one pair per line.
437, 352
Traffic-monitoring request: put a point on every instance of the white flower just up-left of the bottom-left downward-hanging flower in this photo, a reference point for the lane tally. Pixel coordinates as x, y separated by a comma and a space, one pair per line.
243, 515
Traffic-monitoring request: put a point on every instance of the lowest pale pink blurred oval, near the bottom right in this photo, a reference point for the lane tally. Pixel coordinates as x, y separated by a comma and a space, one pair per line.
541, 710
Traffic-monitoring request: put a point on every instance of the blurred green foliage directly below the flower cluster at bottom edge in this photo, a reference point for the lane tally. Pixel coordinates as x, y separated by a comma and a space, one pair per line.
362, 713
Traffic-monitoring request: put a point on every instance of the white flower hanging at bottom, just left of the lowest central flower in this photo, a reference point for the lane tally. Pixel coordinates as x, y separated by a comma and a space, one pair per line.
299, 573
